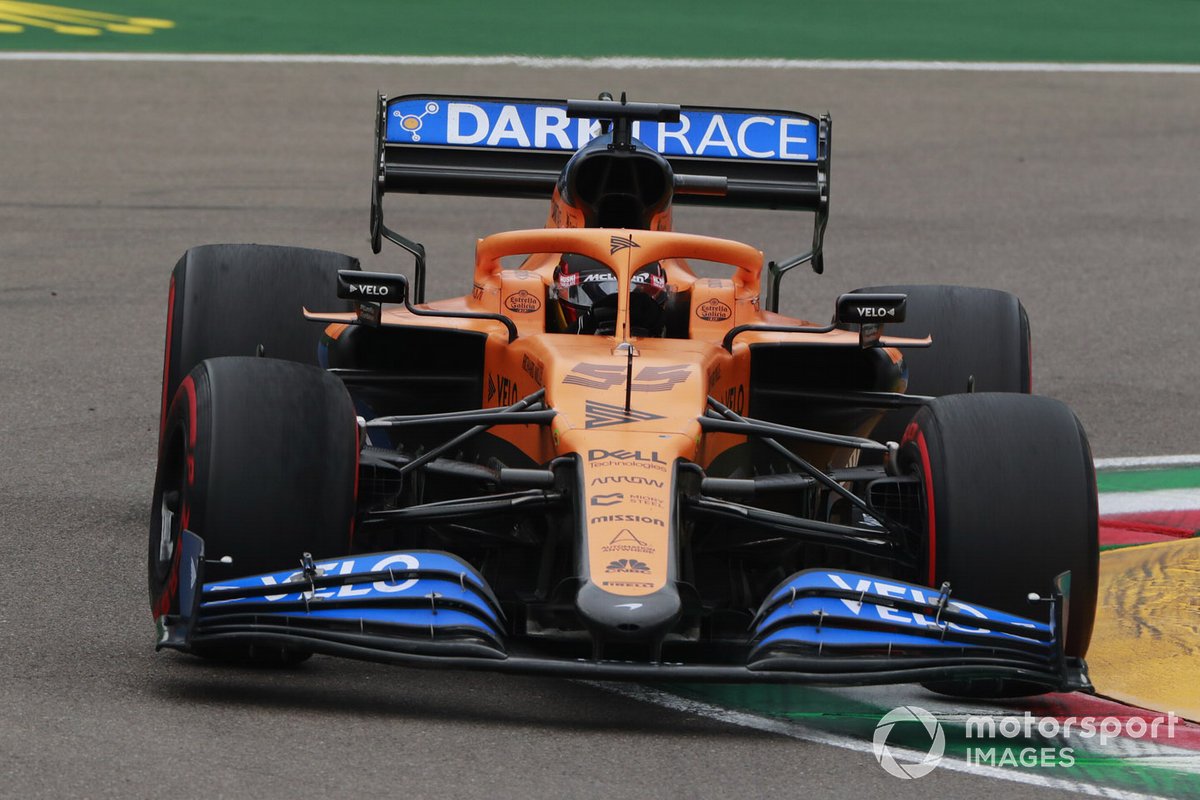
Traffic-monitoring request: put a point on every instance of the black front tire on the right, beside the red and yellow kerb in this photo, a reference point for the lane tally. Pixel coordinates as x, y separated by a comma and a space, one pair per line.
1010, 491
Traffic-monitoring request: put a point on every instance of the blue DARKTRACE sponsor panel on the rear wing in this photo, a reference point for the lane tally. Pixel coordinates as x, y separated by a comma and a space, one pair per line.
544, 125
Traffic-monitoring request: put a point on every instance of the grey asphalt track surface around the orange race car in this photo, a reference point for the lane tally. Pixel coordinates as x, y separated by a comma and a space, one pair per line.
1077, 193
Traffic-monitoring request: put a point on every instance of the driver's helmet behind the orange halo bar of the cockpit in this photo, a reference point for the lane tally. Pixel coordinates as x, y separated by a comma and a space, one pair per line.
586, 291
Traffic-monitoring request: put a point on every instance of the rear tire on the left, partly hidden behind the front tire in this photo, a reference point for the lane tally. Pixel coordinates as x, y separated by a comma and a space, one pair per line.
247, 300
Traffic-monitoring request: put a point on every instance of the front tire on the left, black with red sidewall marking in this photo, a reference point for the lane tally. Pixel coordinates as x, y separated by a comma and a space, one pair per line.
260, 459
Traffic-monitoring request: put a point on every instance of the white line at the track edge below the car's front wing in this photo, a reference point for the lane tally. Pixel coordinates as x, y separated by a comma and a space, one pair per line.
796, 731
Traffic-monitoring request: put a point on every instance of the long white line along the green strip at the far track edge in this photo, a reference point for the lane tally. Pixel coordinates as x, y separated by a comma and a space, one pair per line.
615, 63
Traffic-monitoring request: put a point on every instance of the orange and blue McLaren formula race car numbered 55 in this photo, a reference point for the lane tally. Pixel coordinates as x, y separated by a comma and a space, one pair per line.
604, 461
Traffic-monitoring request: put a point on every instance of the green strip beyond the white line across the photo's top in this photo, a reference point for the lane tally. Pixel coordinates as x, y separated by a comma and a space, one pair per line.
974, 31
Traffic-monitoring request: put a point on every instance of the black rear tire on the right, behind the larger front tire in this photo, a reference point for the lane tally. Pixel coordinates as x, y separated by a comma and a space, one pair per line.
981, 344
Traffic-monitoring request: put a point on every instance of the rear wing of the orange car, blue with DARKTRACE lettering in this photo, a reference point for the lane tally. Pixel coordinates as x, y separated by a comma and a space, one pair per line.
517, 148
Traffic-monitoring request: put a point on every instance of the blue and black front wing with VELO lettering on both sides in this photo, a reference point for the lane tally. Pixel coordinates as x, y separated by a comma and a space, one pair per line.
428, 609
